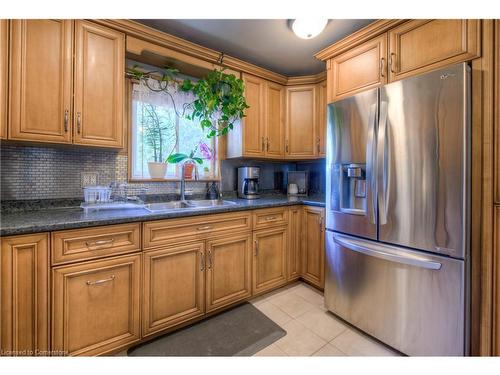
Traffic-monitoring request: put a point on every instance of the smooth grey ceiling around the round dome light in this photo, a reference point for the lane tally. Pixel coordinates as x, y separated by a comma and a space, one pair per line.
267, 43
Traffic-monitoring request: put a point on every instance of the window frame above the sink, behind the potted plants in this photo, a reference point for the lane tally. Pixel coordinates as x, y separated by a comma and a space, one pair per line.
216, 152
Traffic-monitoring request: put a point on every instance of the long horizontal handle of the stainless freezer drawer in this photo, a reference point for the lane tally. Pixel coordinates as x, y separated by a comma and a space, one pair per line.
383, 252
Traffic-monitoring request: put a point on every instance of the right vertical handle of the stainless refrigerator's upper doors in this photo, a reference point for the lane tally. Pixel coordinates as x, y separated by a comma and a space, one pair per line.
382, 164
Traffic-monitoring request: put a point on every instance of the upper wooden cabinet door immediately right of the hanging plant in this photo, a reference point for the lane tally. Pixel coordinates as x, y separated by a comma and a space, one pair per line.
253, 124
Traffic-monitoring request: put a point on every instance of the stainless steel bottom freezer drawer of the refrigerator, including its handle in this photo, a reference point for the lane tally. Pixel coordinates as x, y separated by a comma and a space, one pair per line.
409, 300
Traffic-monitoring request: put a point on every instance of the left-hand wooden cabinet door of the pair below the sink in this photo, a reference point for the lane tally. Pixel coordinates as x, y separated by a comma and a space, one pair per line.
174, 286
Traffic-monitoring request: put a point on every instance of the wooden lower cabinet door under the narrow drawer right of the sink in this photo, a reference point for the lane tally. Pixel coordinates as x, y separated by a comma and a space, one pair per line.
269, 260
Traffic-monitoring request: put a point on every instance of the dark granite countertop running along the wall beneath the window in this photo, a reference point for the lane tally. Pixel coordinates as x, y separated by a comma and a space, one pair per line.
45, 220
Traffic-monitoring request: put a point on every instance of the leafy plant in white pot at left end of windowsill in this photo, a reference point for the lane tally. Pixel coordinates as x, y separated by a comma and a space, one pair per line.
158, 130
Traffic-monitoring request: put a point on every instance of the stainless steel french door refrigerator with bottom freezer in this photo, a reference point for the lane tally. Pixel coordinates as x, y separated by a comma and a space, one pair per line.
397, 214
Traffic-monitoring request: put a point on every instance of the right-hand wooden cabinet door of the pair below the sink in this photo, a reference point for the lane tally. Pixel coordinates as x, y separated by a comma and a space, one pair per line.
229, 267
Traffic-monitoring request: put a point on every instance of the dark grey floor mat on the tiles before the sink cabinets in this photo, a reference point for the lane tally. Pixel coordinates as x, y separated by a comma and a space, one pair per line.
240, 331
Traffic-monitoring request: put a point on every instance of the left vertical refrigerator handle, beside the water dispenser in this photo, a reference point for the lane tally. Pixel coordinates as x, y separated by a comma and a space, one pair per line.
371, 165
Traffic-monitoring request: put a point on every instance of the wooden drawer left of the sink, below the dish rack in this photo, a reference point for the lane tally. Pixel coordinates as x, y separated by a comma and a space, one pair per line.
97, 242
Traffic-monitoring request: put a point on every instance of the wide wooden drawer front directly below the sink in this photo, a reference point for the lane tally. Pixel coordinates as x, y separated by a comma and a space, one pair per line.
158, 233
